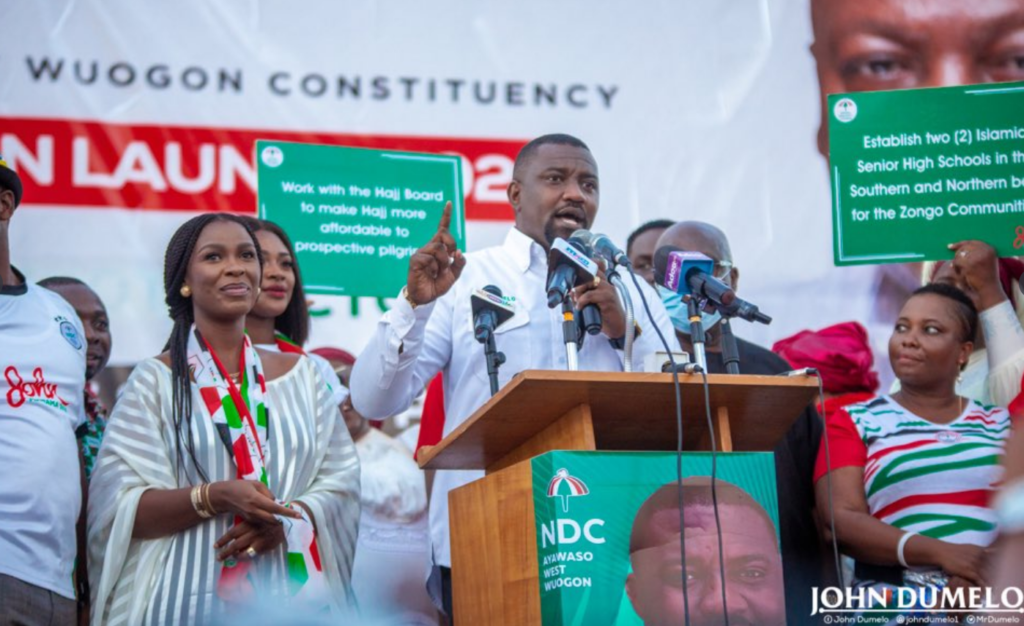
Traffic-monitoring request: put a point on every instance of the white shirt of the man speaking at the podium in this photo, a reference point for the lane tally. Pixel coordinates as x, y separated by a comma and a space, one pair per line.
411, 347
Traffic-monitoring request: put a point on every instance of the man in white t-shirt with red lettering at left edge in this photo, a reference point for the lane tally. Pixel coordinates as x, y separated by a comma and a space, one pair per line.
42, 362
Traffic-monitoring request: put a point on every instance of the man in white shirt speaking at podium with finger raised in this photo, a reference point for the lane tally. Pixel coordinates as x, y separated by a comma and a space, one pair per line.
554, 192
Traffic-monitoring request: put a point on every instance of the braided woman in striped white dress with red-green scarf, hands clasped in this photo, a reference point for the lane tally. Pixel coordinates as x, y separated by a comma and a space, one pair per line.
220, 488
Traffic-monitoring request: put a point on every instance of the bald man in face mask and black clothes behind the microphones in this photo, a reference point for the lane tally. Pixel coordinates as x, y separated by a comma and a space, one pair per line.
795, 455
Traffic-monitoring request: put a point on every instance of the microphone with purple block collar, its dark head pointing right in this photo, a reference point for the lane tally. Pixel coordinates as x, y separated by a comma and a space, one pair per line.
691, 273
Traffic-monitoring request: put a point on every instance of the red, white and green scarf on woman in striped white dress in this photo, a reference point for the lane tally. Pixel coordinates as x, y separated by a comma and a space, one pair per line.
242, 411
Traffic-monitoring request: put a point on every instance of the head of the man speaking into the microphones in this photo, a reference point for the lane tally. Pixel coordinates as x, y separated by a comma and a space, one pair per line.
556, 193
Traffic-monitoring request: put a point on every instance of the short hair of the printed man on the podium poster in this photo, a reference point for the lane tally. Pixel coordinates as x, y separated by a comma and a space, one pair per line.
658, 521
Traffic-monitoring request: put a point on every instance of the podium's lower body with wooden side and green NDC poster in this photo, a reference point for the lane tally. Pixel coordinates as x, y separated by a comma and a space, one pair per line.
606, 534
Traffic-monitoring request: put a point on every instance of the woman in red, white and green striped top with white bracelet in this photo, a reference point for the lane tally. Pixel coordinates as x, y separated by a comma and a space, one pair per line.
913, 474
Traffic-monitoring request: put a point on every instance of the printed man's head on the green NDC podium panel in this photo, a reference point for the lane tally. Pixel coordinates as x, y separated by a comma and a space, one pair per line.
753, 565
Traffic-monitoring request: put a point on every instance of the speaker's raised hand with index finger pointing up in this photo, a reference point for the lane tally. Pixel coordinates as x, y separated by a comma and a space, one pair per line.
435, 268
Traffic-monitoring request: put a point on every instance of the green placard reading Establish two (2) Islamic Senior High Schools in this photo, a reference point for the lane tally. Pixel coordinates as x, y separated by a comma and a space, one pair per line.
918, 170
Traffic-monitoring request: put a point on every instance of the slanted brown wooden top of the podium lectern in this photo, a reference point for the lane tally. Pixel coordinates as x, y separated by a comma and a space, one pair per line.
620, 411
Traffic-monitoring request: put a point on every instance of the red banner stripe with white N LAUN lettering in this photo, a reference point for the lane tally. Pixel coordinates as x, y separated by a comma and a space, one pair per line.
79, 163
